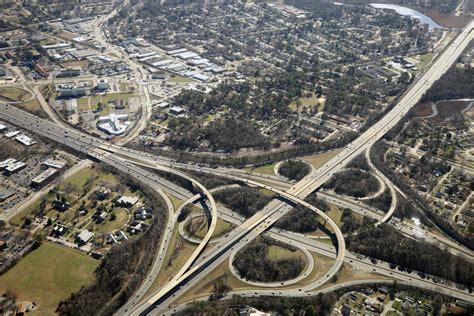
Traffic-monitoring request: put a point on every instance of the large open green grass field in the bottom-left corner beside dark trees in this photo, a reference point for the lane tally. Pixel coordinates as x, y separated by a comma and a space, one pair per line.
48, 275
